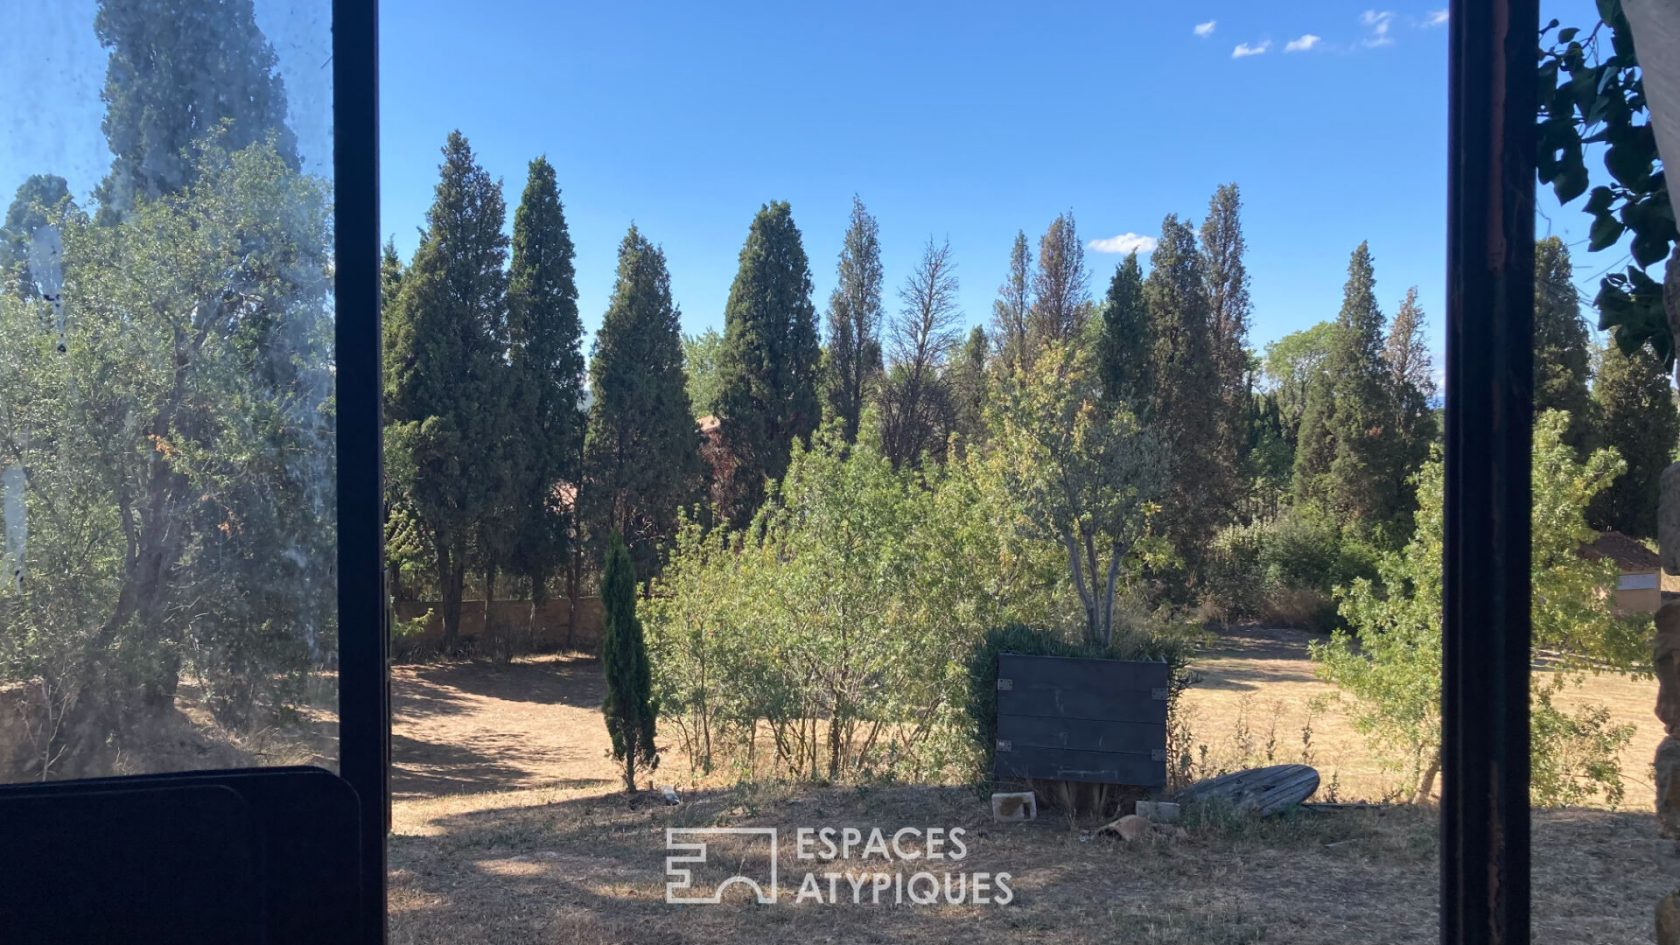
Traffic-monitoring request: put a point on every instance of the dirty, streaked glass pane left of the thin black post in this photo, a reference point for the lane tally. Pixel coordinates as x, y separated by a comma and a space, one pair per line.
167, 430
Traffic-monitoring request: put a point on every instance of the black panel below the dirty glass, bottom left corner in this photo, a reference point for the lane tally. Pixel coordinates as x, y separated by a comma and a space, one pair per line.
298, 840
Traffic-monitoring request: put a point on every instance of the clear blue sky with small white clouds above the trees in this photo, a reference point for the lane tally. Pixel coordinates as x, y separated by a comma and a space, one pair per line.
963, 122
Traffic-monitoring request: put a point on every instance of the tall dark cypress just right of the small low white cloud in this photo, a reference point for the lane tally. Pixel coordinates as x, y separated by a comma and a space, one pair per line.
1187, 403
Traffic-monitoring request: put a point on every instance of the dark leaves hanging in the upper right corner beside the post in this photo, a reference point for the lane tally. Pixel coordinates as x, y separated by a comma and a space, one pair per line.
1593, 98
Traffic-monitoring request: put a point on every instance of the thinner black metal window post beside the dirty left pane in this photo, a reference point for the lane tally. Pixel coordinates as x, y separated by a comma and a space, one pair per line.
364, 680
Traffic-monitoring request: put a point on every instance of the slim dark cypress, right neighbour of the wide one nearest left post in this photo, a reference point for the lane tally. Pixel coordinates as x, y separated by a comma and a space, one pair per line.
547, 371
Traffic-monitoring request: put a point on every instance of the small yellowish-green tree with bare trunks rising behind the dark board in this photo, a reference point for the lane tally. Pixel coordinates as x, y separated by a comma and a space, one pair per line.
1086, 475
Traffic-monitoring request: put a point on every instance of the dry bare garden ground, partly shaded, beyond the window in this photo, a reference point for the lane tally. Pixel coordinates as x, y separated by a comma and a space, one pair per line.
510, 830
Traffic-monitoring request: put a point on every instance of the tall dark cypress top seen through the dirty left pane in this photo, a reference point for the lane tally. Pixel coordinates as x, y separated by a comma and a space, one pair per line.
179, 71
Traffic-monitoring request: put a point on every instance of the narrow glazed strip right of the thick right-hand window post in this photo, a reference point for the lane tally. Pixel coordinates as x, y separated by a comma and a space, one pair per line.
1607, 430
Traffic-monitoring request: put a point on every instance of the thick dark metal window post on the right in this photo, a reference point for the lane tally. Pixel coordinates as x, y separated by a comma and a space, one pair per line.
1489, 409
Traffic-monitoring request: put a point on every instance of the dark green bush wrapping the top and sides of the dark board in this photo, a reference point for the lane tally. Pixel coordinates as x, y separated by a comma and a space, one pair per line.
982, 704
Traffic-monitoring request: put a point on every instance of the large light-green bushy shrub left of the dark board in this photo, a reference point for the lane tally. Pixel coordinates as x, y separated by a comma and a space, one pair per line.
834, 623
